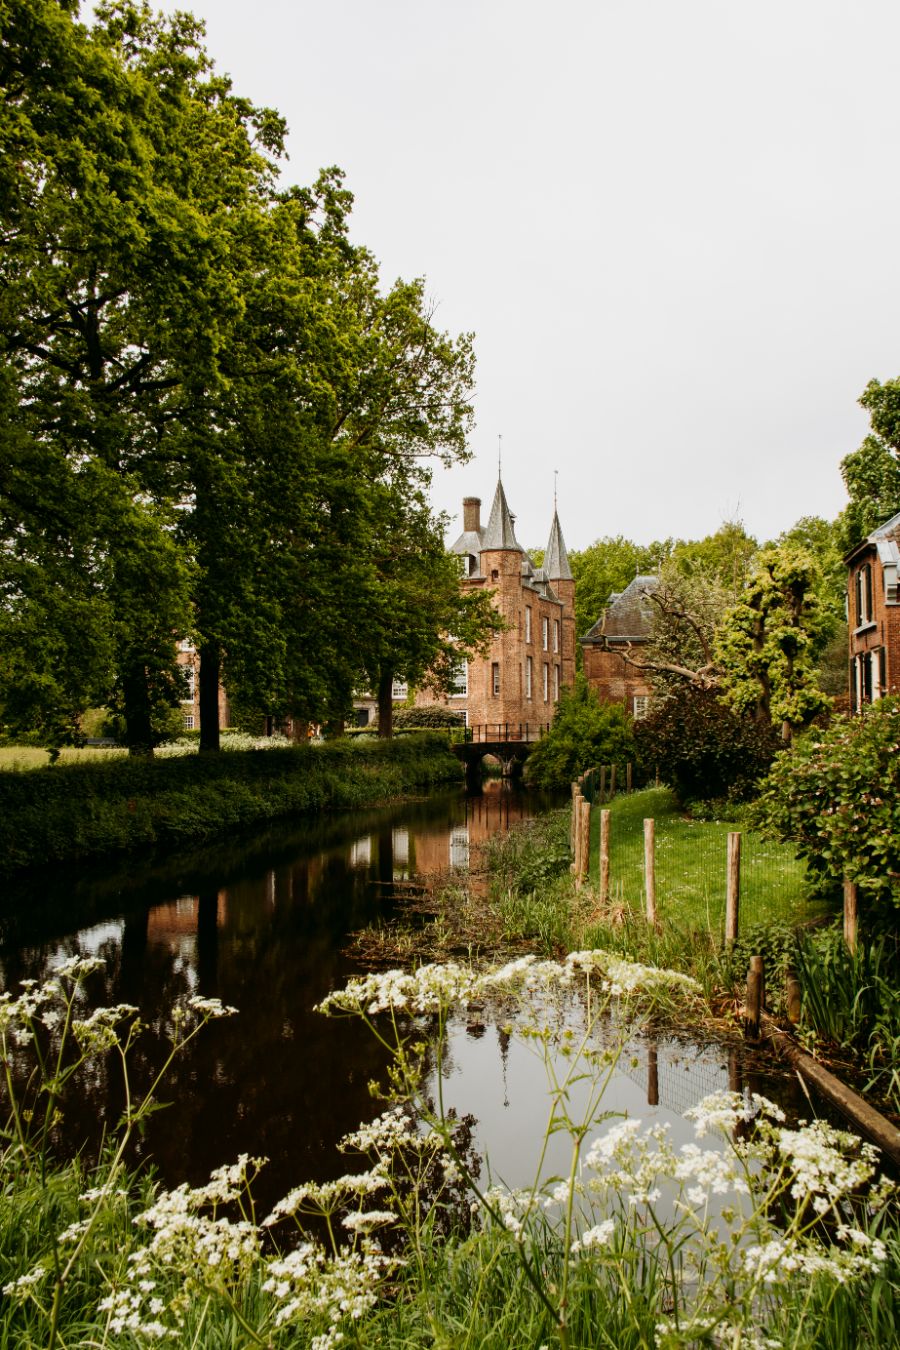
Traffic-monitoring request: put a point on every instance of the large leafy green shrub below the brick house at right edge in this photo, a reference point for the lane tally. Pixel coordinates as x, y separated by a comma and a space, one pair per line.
837, 797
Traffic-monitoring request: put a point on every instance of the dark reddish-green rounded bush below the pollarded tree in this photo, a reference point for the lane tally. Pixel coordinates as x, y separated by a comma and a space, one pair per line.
702, 749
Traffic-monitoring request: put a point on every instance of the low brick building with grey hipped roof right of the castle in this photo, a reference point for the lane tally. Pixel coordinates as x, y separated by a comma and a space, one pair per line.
624, 624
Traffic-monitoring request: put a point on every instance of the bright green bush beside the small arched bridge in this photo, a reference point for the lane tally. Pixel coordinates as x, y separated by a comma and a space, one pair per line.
585, 734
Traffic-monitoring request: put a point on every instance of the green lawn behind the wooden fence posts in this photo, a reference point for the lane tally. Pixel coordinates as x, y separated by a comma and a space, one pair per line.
692, 866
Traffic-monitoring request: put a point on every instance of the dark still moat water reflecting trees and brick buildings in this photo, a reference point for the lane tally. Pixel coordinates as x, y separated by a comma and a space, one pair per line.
264, 925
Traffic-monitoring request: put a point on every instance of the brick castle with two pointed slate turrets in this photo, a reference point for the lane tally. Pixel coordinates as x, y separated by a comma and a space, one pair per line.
519, 681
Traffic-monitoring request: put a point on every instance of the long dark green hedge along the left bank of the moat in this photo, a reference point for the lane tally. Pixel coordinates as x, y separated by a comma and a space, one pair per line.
72, 812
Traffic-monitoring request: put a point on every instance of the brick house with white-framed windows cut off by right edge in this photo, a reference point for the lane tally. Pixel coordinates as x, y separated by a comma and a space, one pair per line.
874, 614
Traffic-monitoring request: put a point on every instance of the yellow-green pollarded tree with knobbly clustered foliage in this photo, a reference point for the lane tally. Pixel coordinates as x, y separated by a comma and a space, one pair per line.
768, 642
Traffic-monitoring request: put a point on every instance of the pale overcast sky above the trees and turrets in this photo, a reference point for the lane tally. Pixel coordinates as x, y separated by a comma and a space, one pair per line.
673, 229
